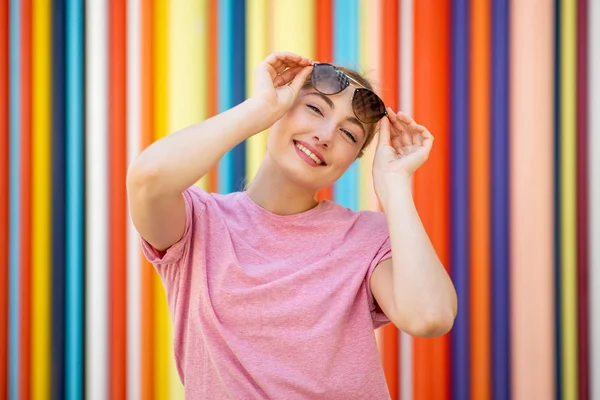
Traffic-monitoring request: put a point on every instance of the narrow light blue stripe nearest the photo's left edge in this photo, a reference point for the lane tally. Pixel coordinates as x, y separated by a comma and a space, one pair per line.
14, 200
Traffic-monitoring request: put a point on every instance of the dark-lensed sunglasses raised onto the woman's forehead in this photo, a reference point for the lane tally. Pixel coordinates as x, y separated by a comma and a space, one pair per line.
367, 106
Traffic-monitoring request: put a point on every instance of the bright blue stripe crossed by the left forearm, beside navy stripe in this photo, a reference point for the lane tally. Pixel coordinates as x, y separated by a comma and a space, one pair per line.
225, 86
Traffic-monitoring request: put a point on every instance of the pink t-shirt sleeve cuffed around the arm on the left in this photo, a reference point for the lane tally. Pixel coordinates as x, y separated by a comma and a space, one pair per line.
194, 206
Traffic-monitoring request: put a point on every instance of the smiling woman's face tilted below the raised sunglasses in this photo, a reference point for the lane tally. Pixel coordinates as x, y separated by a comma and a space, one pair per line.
316, 141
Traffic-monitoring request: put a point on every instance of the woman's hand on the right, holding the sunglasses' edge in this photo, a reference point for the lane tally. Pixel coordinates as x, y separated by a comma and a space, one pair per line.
402, 148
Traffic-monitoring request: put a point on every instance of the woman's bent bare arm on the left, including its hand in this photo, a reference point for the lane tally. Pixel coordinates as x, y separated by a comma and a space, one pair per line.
160, 174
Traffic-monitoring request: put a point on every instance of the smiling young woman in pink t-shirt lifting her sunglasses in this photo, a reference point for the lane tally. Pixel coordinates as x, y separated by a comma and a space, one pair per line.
273, 294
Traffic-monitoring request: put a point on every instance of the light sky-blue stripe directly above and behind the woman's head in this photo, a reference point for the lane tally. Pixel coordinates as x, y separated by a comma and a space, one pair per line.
345, 53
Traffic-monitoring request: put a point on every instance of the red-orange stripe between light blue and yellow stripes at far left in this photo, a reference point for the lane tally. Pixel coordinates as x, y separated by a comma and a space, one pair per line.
25, 359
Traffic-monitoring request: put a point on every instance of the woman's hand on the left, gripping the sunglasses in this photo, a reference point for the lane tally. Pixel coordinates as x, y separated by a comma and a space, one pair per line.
278, 81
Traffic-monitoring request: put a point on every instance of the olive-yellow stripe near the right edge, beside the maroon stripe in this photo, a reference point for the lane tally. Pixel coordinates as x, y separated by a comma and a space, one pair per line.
568, 199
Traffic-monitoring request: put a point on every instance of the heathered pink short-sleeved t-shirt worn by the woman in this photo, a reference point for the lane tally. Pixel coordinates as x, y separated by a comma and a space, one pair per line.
266, 306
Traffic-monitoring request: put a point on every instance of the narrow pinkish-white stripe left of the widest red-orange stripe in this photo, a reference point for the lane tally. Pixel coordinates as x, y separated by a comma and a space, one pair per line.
406, 93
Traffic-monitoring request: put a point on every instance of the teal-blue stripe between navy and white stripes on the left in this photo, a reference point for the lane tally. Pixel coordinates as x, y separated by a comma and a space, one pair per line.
74, 203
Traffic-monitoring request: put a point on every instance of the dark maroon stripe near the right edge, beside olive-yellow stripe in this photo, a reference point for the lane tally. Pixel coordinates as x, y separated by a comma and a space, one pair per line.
582, 200
